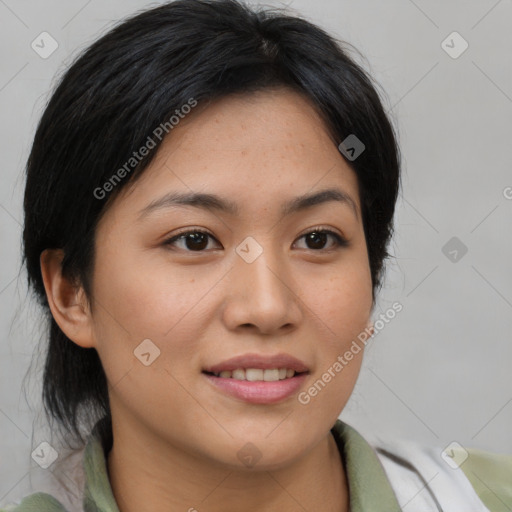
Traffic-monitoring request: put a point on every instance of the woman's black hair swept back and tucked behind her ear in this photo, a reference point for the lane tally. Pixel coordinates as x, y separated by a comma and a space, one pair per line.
130, 81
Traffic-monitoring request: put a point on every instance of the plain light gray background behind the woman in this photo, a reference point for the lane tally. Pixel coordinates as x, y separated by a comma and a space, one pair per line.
440, 371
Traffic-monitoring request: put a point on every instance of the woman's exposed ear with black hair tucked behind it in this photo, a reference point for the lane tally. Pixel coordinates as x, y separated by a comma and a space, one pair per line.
67, 301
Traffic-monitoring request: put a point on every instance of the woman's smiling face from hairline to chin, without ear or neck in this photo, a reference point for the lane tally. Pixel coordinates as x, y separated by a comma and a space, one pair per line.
168, 309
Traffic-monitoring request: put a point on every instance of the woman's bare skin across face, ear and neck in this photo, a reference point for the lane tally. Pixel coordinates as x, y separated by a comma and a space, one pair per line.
176, 437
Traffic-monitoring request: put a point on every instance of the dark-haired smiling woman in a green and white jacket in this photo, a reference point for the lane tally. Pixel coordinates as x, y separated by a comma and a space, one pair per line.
209, 199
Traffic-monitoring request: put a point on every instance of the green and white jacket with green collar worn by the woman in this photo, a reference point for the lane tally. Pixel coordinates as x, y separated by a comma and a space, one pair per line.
383, 478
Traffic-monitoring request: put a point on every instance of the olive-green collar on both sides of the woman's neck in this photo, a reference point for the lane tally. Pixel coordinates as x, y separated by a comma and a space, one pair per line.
369, 487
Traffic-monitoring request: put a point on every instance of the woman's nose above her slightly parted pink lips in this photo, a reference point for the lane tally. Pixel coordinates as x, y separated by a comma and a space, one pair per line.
261, 296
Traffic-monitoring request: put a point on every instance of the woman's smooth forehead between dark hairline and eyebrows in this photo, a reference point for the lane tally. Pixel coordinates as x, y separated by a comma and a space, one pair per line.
253, 147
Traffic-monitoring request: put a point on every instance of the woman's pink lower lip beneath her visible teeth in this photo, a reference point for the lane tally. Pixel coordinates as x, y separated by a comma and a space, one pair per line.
259, 392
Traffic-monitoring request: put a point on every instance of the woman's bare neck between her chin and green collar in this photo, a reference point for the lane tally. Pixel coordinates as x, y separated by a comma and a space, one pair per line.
148, 476
